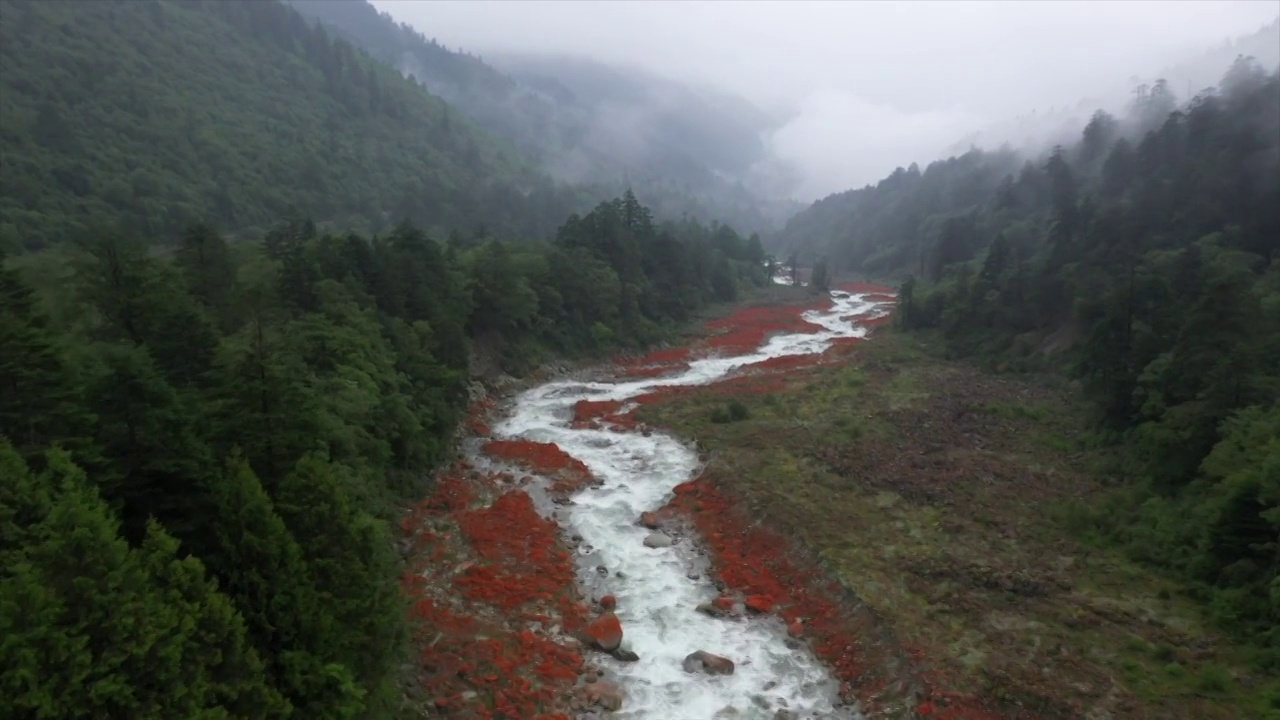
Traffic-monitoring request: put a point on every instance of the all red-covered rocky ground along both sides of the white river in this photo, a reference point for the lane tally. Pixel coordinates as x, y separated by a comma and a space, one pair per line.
504, 630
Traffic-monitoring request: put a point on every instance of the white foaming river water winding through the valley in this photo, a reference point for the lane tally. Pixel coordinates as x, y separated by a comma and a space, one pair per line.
656, 591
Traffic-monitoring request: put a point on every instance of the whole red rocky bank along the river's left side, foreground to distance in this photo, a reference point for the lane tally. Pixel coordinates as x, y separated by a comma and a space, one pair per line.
492, 580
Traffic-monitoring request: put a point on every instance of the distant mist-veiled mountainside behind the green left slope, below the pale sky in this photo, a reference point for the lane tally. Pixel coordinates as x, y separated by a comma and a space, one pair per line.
596, 127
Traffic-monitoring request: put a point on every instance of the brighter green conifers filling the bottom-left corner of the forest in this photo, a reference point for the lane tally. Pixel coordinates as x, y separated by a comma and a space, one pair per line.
94, 628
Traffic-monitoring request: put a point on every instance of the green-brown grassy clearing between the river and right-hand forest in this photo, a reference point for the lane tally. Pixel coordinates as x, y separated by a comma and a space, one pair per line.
941, 496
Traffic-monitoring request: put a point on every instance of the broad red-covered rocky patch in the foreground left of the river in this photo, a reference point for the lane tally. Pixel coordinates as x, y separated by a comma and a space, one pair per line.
477, 659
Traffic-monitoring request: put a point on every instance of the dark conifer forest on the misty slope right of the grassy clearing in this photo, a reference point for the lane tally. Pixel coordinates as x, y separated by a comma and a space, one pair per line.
1146, 261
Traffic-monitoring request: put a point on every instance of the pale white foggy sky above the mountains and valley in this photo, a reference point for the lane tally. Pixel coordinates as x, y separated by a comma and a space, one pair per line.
863, 88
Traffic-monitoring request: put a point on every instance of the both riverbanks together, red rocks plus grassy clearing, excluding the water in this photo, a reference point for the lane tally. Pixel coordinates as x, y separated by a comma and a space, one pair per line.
906, 517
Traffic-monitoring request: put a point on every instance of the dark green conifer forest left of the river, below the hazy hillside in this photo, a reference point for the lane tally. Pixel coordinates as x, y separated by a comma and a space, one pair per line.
214, 443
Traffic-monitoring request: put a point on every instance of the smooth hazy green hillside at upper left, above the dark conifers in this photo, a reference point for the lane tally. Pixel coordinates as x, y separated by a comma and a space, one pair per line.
158, 115
